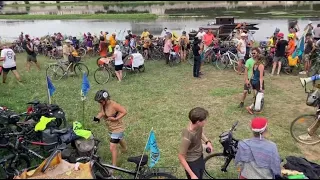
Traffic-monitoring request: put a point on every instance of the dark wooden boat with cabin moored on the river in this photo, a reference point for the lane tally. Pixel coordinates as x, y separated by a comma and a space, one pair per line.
224, 27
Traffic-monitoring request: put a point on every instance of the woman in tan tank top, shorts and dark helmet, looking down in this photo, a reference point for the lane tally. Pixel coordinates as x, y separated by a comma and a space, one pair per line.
112, 113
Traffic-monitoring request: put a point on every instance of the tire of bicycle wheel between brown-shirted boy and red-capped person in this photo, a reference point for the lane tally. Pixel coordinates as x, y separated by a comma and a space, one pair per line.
215, 175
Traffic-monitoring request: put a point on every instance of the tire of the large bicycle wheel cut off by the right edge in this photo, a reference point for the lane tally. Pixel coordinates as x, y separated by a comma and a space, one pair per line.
300, 119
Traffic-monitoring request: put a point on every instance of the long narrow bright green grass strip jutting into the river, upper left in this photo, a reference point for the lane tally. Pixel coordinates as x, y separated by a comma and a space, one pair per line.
82, 16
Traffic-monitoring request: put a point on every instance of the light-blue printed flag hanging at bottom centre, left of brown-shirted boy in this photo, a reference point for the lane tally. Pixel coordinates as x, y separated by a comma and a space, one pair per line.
154, 150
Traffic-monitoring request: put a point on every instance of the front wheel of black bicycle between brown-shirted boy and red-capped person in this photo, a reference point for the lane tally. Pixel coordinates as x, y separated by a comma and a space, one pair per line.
213, 165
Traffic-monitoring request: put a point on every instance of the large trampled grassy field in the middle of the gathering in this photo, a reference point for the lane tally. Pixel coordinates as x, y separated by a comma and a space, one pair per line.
161, 98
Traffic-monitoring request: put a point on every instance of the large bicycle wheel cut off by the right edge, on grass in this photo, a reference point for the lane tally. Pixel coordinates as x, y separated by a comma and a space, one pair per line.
299, 127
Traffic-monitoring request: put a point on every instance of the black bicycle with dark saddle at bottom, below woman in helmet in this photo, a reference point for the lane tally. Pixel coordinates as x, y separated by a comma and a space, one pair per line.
101, 170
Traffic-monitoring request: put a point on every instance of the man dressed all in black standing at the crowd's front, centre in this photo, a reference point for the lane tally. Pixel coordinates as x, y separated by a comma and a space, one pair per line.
197, 57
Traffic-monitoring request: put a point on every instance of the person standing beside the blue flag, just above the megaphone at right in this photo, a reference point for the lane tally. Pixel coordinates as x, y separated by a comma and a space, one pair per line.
309, 48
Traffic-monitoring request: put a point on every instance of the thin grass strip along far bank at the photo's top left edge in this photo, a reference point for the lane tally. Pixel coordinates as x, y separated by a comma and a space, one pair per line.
125, 3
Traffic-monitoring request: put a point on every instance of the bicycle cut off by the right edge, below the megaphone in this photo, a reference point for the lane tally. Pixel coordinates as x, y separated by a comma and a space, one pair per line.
301, 124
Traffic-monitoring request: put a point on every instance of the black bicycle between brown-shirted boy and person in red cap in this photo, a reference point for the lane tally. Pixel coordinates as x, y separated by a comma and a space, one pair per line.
219, 162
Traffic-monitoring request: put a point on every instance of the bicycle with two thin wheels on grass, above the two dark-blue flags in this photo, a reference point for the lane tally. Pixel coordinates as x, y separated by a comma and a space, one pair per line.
58, 71
